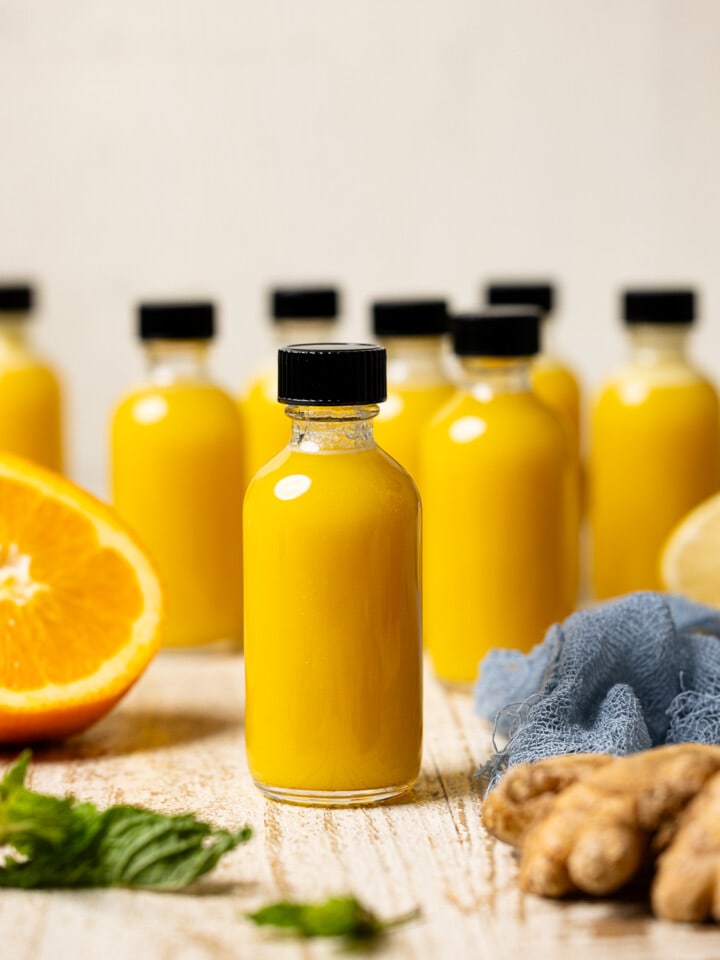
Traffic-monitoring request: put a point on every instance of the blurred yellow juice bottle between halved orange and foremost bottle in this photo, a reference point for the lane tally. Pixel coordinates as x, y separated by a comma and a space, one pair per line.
177, 474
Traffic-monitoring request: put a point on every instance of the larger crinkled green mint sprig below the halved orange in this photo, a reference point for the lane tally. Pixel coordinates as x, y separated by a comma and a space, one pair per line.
60, 842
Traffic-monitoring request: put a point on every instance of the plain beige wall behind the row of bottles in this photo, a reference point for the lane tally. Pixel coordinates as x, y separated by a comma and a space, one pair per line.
175, 147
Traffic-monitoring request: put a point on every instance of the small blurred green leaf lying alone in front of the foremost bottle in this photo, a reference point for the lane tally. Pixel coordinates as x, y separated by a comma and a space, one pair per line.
337, 917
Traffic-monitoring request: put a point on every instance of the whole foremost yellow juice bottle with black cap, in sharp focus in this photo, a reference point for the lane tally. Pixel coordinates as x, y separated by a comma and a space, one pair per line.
333, 709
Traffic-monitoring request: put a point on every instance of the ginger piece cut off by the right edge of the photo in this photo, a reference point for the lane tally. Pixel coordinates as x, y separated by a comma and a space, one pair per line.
687, 879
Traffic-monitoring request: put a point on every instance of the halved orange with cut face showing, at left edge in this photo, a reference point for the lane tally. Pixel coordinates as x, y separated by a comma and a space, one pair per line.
81, 605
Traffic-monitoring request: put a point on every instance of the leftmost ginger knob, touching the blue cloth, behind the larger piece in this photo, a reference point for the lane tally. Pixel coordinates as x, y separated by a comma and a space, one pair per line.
526, 793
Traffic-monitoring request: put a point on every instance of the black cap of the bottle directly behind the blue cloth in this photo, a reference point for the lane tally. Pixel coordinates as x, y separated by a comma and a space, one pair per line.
497, 332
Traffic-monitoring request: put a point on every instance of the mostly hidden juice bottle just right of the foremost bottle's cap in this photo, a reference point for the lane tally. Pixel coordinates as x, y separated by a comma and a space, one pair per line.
412, 332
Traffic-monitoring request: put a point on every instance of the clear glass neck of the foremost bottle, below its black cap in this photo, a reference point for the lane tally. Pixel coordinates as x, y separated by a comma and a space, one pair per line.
321, 429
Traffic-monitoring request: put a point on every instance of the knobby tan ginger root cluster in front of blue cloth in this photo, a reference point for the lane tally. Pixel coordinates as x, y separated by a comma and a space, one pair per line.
593, 826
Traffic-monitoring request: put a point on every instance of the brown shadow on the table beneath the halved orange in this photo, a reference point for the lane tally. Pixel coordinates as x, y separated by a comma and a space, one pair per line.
134, 731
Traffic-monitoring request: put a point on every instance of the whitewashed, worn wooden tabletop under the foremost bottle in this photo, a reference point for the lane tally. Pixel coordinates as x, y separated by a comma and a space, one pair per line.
176, 743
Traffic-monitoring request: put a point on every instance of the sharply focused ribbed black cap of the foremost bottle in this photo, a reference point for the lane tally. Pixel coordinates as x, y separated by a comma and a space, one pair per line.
332, 374
